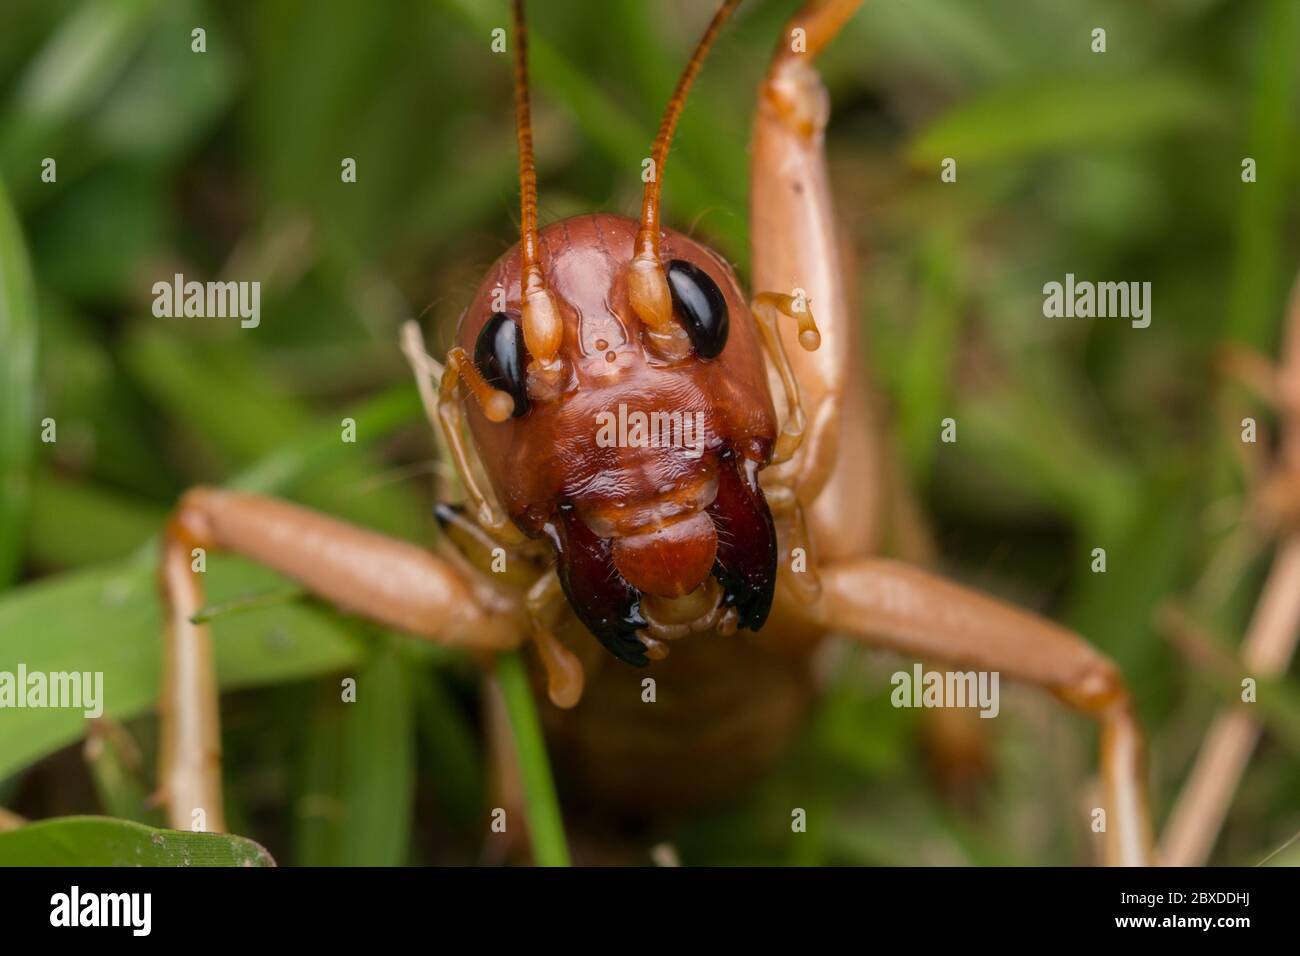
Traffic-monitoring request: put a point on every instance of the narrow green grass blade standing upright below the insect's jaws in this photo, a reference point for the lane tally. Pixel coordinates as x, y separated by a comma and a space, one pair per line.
545, 827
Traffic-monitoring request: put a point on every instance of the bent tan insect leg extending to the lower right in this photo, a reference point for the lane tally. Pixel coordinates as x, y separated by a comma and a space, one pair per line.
891, 605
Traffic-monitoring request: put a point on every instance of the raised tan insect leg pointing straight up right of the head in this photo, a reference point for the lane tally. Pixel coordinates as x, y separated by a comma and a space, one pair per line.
796, 246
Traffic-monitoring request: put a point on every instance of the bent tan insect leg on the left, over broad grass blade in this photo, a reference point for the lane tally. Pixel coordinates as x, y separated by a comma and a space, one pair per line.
391, 582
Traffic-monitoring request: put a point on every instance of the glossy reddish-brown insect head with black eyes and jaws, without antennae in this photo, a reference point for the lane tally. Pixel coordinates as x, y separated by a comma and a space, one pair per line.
643, 470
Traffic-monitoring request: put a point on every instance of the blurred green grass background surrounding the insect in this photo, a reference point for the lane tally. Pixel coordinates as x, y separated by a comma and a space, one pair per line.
1074, 435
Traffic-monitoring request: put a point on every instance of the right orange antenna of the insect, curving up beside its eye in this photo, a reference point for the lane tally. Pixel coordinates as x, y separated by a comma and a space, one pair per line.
648, 285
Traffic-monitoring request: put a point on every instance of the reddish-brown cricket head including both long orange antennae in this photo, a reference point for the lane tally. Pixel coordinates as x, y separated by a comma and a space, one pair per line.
623, 412
